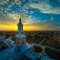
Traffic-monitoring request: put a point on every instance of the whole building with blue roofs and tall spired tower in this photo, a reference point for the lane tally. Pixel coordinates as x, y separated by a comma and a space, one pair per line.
21, 50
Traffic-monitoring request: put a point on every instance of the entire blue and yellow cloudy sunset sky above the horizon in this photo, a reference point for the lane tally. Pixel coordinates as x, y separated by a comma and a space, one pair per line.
37, 15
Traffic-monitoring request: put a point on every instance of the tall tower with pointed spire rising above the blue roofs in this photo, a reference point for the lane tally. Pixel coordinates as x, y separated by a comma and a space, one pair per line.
20, 37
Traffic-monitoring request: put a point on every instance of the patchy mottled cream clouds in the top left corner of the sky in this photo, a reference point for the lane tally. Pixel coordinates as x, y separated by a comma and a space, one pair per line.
9, 4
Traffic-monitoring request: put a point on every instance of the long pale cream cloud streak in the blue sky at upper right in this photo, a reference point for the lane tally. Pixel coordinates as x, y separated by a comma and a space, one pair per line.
45, 7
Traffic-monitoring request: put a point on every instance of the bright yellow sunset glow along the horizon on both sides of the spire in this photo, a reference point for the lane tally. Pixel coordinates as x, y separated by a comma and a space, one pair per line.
15, 28
